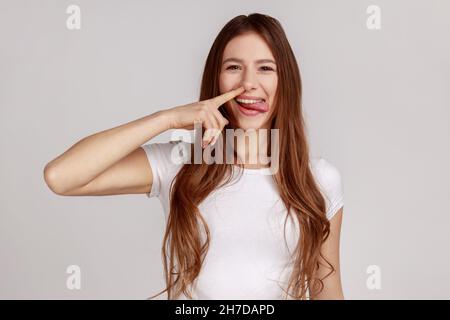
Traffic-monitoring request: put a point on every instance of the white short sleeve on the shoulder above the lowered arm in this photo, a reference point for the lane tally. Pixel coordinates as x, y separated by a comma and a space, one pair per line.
331, 183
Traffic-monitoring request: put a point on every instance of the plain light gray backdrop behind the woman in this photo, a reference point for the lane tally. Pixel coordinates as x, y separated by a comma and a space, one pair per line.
377, 105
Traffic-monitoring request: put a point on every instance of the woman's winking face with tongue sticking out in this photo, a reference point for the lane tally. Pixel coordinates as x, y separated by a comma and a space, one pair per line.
248, 62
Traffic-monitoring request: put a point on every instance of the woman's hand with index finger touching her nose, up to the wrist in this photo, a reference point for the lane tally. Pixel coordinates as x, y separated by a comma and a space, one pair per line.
206, 112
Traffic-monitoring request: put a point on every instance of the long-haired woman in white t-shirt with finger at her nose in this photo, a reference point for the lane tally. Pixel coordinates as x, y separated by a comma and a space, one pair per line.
232, 231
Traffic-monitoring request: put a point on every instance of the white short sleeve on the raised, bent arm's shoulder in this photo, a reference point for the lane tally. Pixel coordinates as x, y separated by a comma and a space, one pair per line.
164, 159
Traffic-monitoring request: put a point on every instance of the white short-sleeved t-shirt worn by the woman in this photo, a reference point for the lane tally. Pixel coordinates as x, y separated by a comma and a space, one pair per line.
248, 256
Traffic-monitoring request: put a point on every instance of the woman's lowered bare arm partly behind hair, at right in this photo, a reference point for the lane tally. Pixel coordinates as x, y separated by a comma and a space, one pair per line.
332, 284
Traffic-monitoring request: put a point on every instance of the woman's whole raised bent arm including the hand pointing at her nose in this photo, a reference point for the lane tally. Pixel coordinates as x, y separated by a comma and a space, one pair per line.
111, 161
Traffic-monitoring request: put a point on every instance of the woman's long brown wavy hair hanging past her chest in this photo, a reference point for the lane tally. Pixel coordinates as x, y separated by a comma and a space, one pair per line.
183, 247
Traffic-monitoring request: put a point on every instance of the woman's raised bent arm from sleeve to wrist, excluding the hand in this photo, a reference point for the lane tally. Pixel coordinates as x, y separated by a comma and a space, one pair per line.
111, 158
